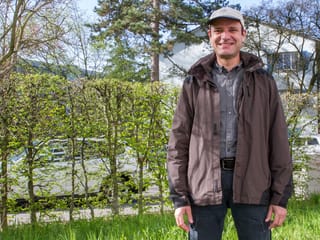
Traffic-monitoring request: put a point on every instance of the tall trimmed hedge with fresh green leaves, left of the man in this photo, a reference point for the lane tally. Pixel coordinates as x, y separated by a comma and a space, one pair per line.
87, 143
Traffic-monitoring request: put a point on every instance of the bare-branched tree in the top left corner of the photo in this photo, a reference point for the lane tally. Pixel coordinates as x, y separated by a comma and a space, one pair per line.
27, 26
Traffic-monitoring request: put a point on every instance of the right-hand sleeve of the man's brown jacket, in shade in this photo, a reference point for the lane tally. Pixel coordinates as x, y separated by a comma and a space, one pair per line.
279, 155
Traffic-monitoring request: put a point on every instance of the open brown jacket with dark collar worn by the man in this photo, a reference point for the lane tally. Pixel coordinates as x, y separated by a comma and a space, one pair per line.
263, 169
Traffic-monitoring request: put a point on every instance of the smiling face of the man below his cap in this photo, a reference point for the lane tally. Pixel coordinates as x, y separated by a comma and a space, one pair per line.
226, 37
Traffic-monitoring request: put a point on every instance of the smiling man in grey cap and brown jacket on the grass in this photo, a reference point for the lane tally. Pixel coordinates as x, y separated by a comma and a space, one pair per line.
228, 145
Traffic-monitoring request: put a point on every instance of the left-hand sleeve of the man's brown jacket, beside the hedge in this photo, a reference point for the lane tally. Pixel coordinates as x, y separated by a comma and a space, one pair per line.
178, 146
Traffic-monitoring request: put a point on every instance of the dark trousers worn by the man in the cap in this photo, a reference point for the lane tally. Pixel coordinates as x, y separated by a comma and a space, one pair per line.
249, 219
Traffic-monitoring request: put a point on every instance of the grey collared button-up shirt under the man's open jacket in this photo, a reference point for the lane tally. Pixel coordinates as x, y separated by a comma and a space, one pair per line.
228, 84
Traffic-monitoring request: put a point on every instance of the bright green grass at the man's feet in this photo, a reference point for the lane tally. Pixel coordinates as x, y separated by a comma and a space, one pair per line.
303, 223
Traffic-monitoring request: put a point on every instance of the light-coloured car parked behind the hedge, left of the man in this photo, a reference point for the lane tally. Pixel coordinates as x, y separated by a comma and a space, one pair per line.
53, 162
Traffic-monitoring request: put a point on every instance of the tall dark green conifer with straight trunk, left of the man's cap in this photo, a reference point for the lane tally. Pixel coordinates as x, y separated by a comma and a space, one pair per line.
152, 26
